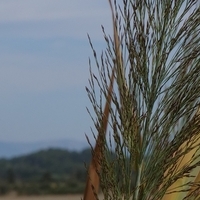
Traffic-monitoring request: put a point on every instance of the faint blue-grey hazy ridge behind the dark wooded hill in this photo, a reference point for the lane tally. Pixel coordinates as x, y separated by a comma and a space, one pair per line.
13, 149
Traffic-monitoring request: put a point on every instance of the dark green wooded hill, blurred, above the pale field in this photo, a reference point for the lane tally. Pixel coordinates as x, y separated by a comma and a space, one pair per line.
51, 171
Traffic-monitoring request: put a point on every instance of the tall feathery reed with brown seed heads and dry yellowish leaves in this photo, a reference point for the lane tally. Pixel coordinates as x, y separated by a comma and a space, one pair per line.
152, 147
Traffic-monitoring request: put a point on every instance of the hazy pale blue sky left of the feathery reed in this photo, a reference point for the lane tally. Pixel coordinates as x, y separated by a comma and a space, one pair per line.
44, 69
